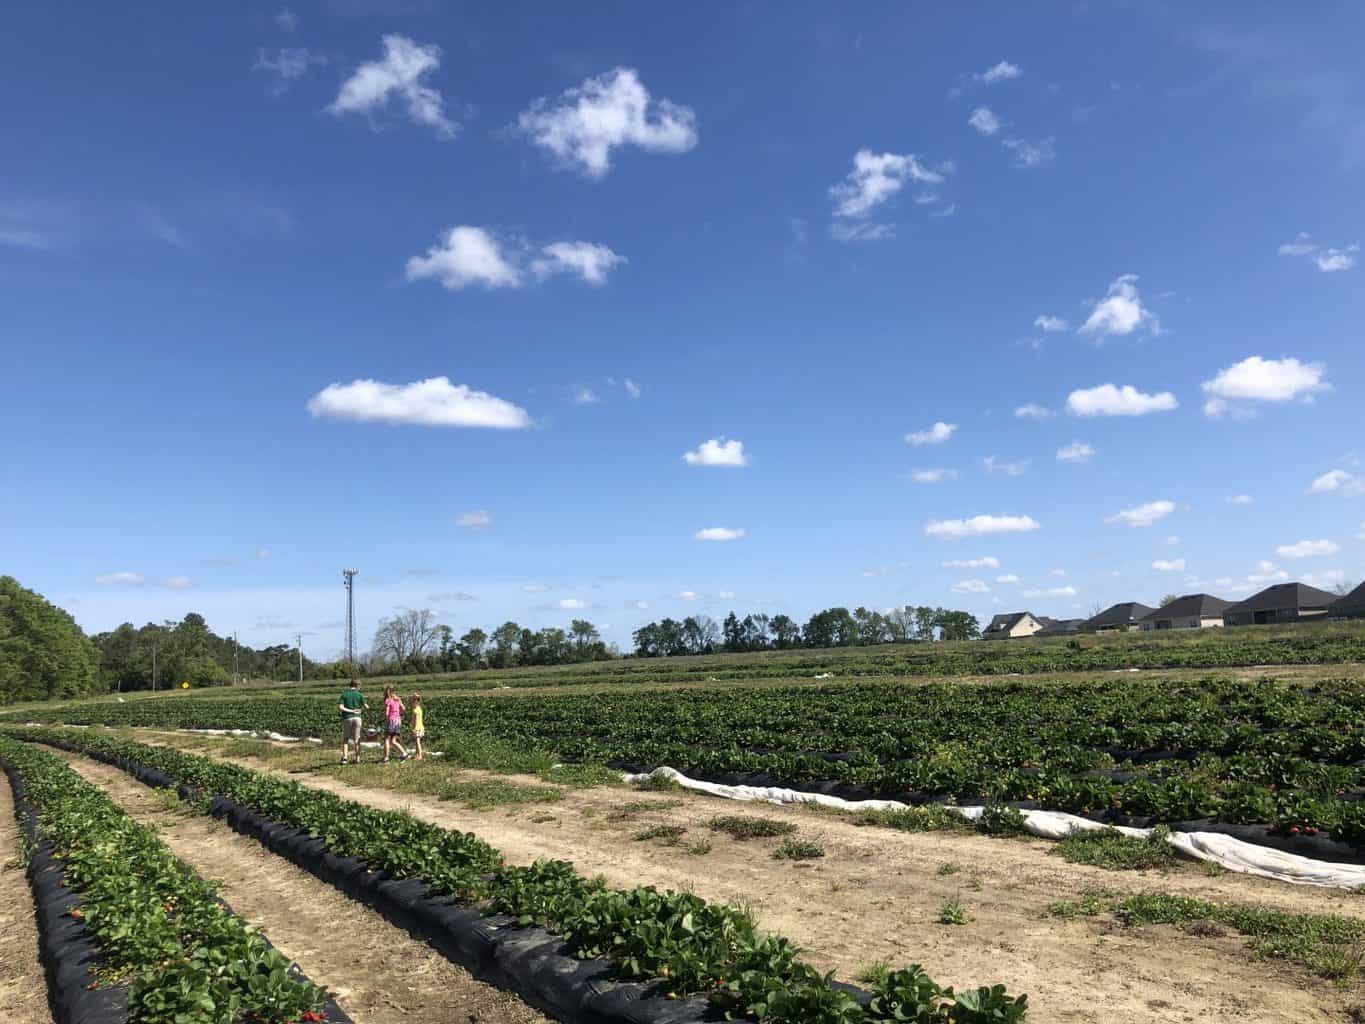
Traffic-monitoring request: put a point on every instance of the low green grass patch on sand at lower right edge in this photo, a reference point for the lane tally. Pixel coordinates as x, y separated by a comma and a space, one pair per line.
1326, 944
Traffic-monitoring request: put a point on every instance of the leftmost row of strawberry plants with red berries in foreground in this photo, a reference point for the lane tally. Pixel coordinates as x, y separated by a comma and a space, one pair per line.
185, 958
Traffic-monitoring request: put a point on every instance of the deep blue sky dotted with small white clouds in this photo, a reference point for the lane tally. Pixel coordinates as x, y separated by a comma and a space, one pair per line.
847, 248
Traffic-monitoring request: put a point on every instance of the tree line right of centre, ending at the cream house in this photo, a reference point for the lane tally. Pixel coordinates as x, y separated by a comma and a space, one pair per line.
835, 627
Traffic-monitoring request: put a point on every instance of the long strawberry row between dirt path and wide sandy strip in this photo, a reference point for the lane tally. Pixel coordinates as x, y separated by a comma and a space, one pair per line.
676, 939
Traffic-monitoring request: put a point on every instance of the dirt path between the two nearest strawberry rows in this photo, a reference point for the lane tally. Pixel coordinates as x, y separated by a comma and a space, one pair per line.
379, 973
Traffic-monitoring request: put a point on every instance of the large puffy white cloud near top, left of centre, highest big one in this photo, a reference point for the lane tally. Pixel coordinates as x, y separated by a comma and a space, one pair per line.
584, 125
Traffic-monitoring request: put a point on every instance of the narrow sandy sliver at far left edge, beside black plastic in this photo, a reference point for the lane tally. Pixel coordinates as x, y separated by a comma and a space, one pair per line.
24, 991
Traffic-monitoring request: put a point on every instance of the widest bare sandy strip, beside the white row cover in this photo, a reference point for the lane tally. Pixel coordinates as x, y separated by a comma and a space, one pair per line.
877, 895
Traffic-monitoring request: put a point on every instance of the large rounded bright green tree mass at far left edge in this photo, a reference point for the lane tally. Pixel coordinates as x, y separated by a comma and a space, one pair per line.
43, 652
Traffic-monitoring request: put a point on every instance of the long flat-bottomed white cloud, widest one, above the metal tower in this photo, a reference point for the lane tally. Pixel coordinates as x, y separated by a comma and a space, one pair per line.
433, 402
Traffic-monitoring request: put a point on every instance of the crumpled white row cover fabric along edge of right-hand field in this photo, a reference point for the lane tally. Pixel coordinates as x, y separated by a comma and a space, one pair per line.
1233, 854
